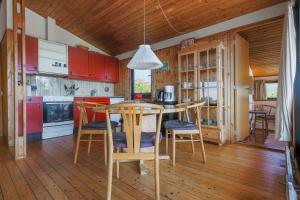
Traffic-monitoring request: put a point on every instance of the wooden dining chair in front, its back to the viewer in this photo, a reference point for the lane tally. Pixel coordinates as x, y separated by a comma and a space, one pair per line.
133, 139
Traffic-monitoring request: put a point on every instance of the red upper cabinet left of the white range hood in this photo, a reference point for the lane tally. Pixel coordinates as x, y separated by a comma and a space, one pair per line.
31, 54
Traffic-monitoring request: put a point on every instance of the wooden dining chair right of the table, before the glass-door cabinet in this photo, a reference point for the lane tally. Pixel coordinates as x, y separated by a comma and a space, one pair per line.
186, 129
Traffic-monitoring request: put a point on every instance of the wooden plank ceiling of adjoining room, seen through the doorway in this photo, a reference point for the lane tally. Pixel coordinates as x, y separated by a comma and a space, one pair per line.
265, 46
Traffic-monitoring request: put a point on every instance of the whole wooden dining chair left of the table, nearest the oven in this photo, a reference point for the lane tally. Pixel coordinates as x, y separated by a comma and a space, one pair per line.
91, 128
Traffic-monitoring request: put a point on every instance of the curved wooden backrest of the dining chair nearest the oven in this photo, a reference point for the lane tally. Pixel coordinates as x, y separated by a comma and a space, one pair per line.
86, 108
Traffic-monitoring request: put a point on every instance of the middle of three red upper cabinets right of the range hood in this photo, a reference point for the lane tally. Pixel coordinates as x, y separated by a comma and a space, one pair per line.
97, 66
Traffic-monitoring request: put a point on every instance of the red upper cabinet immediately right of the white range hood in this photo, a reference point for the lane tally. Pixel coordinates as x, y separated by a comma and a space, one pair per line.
78, 62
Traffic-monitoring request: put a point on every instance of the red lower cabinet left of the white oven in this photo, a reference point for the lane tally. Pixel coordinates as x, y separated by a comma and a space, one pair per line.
34, 118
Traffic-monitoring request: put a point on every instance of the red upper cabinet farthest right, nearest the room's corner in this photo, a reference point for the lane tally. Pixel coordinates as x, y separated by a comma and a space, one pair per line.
112, 70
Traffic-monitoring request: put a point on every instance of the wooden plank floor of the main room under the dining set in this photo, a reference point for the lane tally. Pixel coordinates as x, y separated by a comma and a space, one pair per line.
231, 172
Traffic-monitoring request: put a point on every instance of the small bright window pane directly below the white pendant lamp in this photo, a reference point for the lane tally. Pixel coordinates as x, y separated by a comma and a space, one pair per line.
142, 81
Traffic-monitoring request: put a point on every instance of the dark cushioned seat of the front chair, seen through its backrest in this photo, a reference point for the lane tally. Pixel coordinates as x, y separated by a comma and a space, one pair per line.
147, 139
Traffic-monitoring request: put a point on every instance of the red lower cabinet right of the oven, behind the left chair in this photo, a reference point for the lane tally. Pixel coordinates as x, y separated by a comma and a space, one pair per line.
99, 116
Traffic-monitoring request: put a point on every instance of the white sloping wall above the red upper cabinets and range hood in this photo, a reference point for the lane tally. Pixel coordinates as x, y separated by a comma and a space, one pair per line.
36, 26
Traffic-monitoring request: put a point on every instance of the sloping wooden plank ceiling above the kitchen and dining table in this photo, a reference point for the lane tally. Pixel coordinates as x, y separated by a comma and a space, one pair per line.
116, 26
